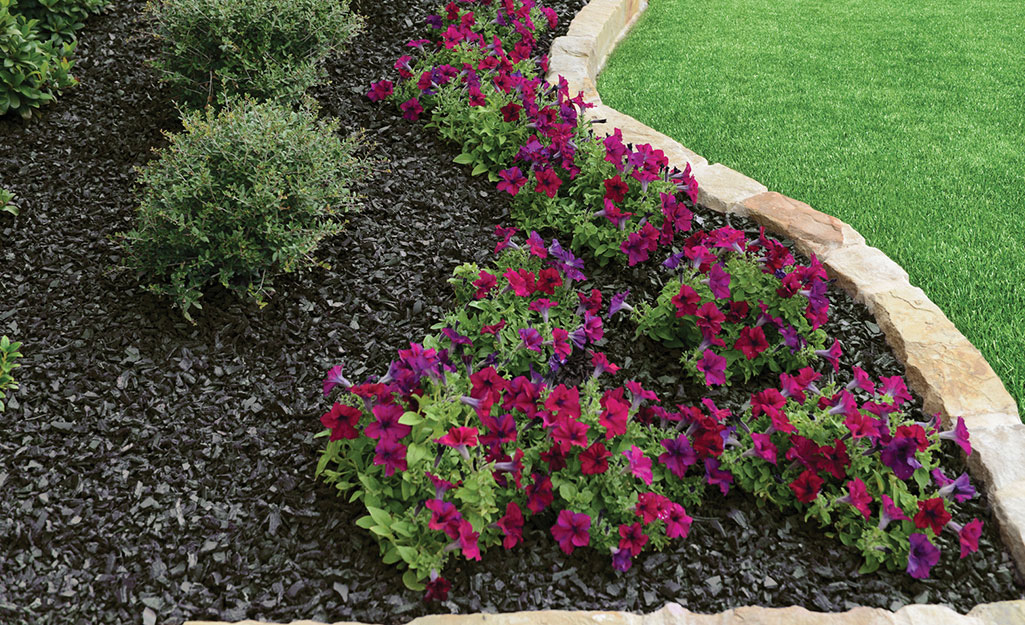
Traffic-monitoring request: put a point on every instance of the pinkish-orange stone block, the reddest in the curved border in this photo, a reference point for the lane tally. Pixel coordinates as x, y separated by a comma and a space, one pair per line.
813, 232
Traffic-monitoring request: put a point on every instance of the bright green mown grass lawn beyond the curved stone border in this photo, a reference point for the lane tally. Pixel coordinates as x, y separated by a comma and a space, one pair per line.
905, 119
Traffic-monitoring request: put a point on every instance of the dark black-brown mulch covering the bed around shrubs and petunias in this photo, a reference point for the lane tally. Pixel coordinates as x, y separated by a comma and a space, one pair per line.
152, 471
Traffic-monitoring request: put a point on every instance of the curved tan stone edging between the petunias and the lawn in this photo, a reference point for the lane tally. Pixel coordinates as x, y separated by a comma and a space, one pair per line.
942, 366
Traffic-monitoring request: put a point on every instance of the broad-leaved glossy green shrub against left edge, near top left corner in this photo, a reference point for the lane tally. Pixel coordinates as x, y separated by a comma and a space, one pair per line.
32, 70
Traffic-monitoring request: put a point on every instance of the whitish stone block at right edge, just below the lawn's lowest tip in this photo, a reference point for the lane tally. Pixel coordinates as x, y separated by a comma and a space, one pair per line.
998, 455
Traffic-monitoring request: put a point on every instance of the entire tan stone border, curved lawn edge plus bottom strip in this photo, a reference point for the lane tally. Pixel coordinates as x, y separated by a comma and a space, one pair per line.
942, 366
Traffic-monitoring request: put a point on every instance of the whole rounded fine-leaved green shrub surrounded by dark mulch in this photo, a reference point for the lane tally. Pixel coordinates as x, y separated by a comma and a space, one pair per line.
241, 195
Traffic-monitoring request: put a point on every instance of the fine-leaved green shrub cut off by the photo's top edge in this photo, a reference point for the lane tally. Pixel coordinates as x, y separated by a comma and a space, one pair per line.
217, 49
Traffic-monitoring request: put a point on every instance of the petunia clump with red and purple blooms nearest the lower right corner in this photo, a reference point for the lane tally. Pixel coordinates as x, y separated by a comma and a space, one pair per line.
853, 460
